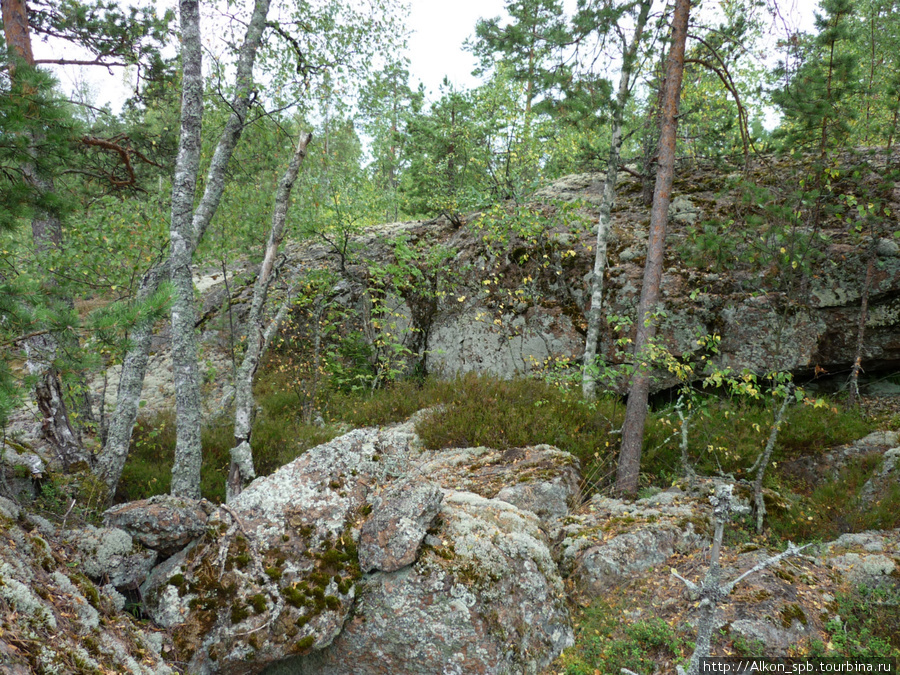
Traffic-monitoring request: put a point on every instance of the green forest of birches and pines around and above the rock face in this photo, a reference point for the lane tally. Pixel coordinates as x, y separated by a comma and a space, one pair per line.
123, 205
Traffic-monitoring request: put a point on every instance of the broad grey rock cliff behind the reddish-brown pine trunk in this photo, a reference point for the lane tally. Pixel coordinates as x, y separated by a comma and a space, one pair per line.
783, 293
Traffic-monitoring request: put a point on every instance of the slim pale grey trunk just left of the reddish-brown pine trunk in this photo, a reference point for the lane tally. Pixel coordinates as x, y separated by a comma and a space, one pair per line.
595, 313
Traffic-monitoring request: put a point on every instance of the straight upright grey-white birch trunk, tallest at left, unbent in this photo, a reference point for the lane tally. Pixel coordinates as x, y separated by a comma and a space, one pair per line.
186, 471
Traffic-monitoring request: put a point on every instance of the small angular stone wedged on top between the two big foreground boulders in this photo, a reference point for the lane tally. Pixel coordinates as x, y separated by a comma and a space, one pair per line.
391, 536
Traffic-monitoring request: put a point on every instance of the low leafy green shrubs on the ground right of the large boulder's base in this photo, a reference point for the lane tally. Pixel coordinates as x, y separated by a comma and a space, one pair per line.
604, 643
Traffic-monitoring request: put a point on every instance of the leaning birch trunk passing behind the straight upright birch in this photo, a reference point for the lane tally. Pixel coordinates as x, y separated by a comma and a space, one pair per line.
134, 366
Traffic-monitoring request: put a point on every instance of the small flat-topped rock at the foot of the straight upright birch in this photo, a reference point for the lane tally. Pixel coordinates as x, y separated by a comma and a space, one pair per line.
163, 523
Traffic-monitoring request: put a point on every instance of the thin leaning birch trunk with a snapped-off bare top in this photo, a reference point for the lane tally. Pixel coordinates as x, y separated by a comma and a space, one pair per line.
258, 336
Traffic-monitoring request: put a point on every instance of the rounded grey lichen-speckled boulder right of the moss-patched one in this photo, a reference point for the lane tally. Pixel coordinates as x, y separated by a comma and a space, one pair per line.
486, 599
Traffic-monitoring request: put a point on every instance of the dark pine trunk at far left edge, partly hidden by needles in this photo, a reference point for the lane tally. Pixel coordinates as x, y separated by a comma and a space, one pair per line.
46, 232
